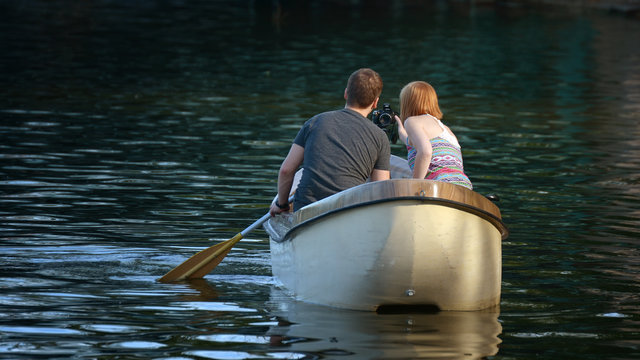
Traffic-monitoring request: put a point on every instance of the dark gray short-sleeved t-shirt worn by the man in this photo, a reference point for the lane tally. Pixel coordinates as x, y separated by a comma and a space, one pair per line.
341, 149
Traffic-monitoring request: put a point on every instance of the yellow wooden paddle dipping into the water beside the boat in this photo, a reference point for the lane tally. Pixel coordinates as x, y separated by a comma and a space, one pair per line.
206, 260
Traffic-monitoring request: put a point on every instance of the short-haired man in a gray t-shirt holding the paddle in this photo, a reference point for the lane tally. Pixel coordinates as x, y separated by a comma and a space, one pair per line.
337, 149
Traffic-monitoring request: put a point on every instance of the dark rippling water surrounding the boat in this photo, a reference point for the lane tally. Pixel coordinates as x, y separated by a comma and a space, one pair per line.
133, 134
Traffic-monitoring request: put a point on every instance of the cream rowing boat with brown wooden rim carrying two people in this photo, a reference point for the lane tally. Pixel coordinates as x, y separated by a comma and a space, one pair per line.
394, 243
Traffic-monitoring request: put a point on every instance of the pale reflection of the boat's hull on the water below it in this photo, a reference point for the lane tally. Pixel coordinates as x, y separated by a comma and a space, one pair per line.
307, 328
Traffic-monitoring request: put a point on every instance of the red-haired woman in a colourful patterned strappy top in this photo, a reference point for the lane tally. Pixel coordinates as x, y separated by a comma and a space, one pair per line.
433, 150
